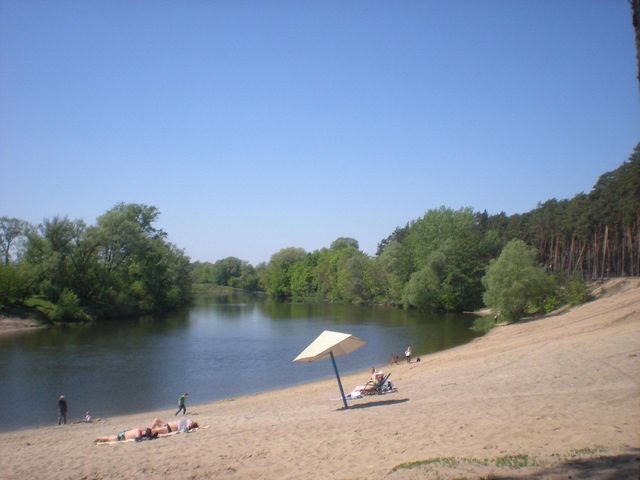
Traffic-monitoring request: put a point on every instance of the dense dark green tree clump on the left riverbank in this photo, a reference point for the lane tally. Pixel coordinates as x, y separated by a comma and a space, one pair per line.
121, 266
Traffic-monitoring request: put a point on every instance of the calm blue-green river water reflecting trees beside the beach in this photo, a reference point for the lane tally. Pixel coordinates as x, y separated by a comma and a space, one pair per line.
221, 347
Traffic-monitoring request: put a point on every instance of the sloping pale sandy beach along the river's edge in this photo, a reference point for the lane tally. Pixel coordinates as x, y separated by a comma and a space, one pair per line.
551, 397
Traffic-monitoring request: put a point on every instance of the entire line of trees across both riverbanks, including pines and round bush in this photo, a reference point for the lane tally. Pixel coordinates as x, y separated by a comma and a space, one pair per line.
446, 260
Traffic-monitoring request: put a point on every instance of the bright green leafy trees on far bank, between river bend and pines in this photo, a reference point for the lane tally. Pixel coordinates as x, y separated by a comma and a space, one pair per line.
436, 263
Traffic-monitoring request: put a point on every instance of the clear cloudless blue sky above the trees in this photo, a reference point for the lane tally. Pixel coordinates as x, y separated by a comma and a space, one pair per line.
259, 125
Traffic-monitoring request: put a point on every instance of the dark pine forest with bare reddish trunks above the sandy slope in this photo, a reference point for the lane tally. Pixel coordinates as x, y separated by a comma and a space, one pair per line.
594, 235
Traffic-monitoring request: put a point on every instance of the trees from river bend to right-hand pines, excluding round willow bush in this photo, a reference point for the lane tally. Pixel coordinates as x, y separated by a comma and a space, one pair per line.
438, 262
